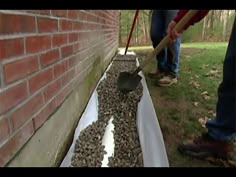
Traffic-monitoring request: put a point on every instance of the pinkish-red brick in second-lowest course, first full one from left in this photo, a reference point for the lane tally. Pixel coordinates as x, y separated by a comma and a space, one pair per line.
24, 113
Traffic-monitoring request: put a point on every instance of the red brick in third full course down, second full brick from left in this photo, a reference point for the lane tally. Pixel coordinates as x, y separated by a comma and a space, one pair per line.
49, 57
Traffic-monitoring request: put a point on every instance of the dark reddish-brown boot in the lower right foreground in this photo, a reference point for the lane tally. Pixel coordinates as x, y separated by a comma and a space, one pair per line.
204, 146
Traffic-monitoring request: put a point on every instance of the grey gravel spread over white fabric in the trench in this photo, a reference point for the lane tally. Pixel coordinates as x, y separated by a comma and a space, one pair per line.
89, 151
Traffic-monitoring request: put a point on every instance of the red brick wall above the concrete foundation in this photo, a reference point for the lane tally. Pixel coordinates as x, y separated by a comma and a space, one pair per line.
41, 54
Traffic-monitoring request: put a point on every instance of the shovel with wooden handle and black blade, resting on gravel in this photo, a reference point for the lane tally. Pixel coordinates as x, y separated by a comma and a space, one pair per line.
128, 81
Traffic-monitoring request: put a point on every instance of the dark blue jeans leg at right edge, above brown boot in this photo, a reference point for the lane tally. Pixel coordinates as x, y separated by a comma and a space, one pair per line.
223, 127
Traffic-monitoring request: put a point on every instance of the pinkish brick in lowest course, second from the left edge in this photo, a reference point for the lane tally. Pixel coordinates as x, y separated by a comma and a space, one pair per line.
43, 115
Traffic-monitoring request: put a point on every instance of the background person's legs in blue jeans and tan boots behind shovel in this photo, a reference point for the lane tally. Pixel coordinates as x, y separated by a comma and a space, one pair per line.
167, 68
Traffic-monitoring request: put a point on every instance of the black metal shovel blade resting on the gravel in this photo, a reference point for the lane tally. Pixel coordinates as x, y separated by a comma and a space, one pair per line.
128, 82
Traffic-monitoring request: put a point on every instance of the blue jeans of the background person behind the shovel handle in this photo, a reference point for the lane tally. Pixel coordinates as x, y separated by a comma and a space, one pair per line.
168, 58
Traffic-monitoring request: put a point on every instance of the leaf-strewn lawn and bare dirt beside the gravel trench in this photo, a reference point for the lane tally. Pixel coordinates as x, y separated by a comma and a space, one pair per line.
180, 106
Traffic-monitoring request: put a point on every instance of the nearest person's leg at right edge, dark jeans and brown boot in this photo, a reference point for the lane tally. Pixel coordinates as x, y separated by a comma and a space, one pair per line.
222, 130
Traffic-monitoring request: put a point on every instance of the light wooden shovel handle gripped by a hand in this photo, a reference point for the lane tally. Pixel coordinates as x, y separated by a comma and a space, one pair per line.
164, 42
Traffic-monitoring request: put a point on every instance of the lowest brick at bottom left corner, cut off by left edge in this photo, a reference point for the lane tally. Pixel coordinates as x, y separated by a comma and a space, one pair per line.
8, 150
